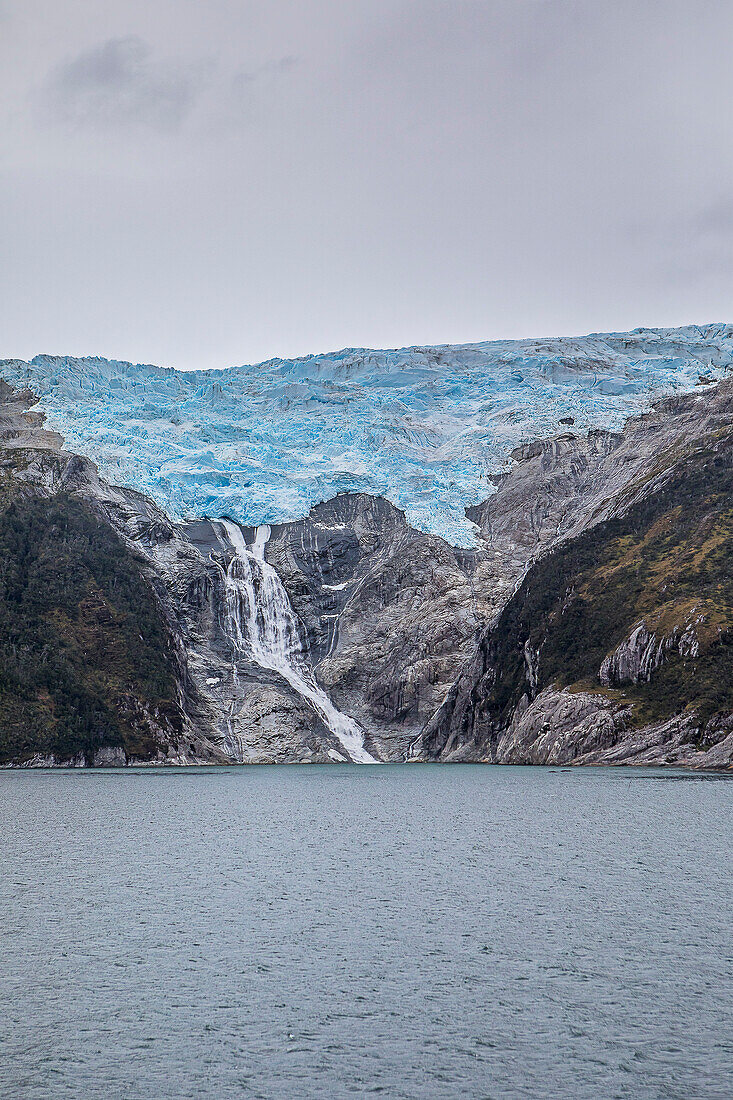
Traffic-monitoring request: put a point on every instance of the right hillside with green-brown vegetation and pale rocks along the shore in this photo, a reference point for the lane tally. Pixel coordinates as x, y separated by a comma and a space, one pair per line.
637, 612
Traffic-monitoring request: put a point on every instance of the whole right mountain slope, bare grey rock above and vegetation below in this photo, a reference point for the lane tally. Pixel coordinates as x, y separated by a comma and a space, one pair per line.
617, 647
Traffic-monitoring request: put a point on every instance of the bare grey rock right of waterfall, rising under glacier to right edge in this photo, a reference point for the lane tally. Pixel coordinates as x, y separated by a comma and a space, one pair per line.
393, 615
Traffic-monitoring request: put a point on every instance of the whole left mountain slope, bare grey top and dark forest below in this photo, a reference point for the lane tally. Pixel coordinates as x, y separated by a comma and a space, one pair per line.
92, 665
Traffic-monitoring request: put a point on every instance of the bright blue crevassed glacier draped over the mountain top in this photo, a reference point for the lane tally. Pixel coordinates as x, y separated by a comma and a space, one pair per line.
428, 428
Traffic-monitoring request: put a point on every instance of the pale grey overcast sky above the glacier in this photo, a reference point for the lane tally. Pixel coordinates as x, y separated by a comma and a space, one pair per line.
203, 184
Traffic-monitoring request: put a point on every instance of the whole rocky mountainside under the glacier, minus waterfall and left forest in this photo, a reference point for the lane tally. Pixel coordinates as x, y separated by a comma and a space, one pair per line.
592, 624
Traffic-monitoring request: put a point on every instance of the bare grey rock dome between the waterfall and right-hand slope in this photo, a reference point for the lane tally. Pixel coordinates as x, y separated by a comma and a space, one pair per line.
390, 613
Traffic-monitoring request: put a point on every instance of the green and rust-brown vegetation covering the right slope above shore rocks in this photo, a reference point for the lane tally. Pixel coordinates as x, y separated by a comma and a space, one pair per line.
669, 563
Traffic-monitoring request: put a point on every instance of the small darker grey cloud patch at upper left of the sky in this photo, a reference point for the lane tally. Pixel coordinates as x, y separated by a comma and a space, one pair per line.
119, 83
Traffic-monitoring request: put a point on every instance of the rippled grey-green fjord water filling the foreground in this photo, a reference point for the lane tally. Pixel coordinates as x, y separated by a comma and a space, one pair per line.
411, 932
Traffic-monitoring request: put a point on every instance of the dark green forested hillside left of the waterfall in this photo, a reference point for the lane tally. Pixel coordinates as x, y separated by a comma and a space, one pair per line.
85, 655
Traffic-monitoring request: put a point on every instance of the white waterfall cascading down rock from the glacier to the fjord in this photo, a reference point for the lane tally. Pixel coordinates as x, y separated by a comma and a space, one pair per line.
262, 625
